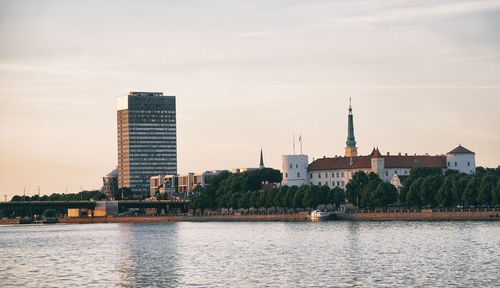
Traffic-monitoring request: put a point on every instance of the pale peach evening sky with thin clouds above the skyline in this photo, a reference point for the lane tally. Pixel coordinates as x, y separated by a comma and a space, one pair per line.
424, 77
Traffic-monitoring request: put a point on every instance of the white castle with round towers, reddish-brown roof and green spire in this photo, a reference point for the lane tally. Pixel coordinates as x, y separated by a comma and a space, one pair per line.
337, 171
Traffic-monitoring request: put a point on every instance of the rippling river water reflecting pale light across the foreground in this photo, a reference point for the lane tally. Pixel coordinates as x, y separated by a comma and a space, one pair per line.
248, 254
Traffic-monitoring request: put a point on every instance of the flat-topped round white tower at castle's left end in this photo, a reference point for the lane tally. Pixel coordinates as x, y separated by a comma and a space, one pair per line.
294, 170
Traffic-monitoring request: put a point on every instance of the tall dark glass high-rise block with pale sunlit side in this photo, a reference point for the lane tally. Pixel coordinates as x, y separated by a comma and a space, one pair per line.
147, 142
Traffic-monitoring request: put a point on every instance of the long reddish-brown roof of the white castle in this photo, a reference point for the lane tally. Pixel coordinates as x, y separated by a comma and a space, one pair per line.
390, 161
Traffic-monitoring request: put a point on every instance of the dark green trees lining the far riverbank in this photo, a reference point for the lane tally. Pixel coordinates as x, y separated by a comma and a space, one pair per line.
424, 188
